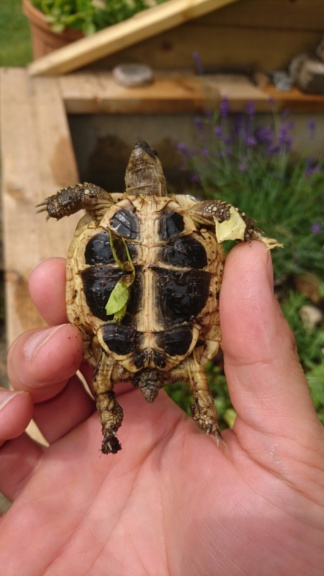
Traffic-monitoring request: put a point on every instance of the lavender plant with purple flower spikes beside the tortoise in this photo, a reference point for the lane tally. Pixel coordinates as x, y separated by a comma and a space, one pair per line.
252, 166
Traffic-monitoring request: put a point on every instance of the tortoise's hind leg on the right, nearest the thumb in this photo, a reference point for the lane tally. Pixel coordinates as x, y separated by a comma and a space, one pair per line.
203, 408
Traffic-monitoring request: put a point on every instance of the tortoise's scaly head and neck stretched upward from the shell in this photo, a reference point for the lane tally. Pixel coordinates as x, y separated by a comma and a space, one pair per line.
144, 173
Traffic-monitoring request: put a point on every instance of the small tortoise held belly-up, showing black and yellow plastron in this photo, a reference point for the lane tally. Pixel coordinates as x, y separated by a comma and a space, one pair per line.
144, 273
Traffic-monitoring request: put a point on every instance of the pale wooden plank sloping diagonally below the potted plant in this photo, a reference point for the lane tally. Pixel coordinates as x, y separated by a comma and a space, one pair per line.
144, 25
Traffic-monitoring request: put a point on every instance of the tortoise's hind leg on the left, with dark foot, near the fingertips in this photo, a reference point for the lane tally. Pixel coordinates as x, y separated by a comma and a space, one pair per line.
110, 412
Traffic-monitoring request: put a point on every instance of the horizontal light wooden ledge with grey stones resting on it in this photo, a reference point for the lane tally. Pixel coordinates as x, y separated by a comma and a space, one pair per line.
92, 93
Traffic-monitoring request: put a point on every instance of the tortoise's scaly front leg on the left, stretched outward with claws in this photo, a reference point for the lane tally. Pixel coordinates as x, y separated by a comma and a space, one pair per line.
67, 201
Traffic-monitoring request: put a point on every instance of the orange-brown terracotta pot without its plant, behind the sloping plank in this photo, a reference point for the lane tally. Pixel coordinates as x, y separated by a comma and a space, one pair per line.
44, 40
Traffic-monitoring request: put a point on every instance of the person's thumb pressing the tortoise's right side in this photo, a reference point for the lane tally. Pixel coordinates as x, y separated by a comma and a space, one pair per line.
266, 382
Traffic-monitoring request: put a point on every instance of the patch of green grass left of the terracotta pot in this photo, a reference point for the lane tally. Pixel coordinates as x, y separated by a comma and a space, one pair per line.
15, 43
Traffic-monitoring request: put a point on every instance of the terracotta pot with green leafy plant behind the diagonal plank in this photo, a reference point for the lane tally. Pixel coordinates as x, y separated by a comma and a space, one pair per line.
55, 23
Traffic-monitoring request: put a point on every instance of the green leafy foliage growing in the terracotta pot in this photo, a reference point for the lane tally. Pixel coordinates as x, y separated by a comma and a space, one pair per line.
89, 16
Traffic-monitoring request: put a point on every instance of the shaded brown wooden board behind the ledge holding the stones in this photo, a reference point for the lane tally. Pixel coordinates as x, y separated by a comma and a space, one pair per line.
220, 48
